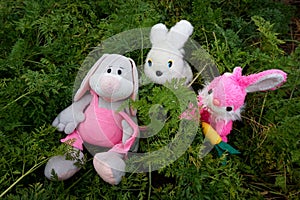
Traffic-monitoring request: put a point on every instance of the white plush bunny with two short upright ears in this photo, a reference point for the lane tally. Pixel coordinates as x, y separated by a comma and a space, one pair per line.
165, 60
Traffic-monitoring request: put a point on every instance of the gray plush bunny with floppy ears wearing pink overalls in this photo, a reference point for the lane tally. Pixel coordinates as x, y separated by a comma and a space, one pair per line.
95, 117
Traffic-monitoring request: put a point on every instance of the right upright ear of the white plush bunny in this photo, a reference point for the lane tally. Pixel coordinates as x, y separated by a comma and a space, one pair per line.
179, 34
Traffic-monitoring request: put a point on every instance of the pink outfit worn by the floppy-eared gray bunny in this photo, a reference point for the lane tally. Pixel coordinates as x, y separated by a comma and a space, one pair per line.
102, 127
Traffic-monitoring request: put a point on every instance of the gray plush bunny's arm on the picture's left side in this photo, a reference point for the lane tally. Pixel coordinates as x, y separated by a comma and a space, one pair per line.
70, 117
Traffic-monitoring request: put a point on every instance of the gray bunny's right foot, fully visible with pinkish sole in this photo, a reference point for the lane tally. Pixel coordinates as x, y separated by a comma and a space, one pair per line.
110, 167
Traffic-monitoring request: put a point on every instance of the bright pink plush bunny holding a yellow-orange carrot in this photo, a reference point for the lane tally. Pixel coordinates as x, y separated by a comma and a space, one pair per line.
222, 100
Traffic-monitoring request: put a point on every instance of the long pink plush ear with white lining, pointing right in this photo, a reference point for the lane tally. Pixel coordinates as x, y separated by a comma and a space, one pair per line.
266, 80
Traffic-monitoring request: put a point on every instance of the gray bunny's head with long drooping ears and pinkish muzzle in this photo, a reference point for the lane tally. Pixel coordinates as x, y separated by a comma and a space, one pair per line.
113, 77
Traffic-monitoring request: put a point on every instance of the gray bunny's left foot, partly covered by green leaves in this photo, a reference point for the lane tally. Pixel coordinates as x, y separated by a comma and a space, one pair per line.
59, 168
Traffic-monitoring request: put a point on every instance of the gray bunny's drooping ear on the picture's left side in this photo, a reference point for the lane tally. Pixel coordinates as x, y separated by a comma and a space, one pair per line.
84, 87
